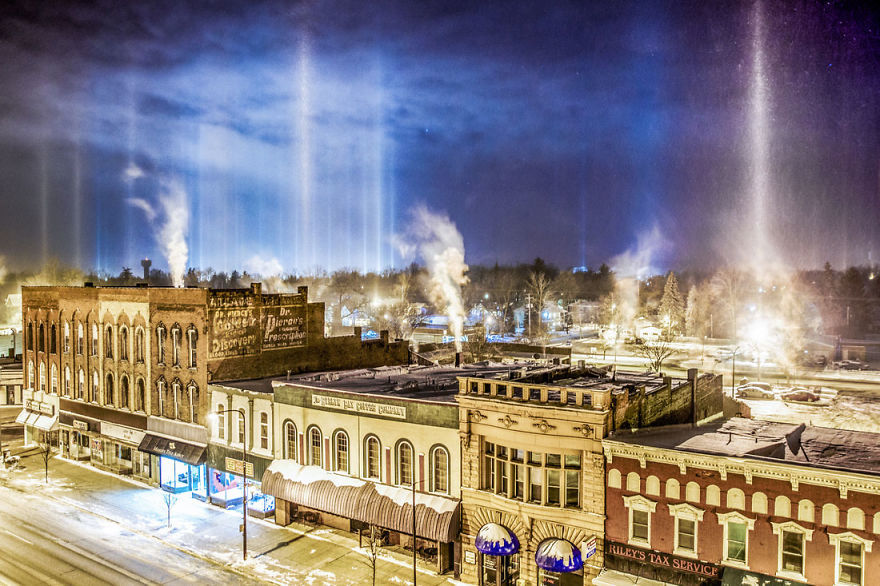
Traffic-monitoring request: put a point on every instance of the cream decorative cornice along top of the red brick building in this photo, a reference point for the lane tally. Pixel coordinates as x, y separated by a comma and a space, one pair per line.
792, 473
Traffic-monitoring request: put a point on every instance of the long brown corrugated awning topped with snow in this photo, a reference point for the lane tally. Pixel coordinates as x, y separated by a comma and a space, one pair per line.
389, 507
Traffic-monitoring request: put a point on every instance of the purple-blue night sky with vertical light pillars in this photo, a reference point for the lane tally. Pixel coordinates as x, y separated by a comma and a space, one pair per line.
302, 134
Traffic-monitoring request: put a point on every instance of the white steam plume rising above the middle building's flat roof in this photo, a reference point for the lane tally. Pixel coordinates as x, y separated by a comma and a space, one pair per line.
433, 237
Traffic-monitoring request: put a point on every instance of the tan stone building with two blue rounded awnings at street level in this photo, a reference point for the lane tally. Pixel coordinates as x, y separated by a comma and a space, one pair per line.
533, 499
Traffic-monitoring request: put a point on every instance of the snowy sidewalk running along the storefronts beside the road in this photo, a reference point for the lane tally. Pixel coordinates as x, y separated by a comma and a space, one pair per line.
276, 555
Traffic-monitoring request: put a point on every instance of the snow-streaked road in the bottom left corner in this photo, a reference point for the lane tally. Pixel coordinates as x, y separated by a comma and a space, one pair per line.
44, 541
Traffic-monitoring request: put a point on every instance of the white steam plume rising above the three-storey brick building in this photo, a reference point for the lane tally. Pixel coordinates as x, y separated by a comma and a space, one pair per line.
170, 221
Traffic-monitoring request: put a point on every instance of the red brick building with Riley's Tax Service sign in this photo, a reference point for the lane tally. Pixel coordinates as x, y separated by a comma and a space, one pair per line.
743, 502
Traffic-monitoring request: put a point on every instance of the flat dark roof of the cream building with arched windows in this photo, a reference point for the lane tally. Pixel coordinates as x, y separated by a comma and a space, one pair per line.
433, 383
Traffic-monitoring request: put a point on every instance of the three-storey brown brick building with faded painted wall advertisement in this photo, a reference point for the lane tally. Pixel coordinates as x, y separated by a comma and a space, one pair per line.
119, 374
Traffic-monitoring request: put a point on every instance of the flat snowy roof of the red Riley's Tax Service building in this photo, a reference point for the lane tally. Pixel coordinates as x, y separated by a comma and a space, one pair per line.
841, 449
